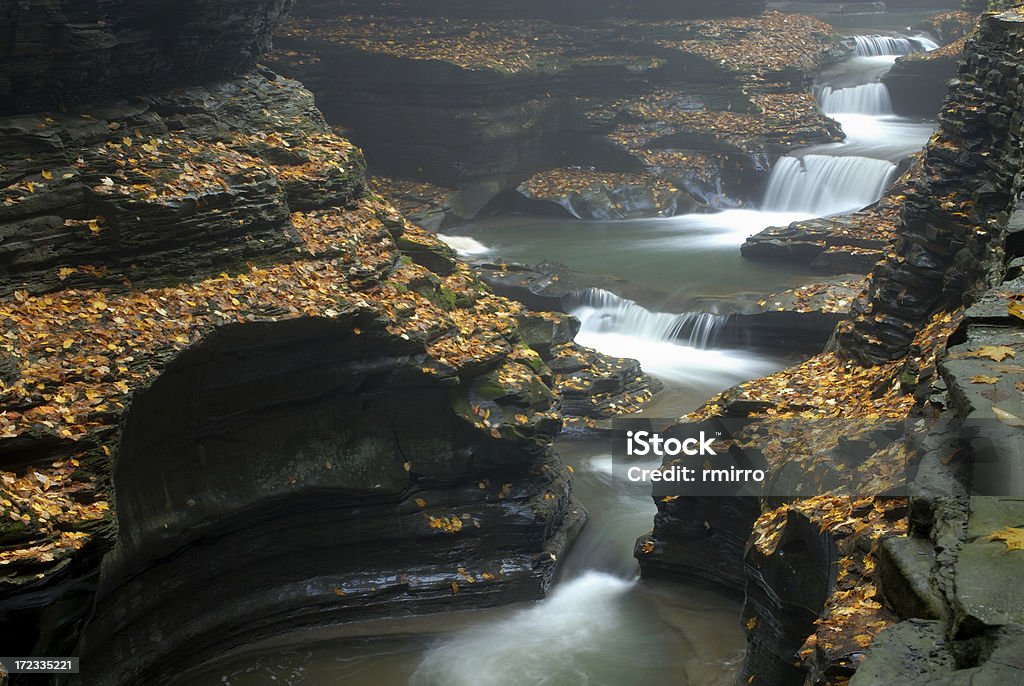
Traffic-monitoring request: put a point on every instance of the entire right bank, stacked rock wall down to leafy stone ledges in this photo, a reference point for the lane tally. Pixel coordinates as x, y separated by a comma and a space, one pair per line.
923, 608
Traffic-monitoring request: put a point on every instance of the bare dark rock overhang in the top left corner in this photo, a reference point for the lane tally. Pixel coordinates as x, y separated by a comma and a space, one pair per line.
56, 55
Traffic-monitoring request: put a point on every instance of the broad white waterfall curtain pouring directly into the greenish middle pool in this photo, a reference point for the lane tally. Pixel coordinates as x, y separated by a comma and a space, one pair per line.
822, 186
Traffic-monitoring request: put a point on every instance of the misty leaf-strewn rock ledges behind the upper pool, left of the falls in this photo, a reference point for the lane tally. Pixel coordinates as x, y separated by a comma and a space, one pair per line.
696, 106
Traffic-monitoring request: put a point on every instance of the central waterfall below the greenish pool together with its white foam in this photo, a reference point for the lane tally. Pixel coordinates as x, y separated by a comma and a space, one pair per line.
623, 329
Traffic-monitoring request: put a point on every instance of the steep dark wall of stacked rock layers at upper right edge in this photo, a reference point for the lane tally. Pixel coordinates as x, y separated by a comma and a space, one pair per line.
954, 223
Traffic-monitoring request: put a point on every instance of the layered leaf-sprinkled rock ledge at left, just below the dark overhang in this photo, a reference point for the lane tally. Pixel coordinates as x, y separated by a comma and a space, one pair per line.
92, 225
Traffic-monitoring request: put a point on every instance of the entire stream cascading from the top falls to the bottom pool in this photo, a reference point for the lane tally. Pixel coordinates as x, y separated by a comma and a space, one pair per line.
601, 627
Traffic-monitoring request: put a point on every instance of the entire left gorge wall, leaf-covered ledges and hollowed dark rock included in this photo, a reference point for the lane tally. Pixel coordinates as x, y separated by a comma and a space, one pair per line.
239, 393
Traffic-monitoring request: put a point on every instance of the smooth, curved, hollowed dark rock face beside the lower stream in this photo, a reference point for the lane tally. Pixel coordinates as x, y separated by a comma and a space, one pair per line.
345, 486
